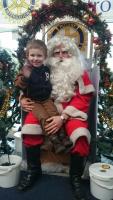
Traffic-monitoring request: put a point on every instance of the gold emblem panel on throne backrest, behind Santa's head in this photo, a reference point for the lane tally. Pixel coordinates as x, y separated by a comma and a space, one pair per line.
73, 30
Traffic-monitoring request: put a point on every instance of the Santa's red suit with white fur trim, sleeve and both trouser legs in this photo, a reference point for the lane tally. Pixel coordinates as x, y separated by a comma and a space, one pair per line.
77, 125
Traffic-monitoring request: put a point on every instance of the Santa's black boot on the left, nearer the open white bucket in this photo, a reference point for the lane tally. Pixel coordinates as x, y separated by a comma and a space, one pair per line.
33, 168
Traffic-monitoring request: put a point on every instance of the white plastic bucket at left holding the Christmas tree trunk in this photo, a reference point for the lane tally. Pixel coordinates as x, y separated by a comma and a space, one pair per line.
9, 175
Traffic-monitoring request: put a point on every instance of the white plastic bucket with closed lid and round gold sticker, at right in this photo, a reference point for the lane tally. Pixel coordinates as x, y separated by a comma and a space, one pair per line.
101, 181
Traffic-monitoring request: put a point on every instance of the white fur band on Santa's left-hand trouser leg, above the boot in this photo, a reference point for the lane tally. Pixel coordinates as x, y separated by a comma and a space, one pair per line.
32, 129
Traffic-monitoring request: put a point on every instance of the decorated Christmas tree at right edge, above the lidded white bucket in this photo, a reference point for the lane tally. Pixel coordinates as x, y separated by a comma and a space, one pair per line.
105, 112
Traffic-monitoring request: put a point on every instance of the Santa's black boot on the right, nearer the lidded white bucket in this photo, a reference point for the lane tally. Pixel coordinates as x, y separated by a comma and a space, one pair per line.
76, 170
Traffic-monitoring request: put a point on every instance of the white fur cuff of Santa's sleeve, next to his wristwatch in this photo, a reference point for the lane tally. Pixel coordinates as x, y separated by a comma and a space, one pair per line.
74, 112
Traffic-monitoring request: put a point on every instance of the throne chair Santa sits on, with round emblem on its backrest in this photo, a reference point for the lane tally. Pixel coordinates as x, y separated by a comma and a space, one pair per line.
58, 163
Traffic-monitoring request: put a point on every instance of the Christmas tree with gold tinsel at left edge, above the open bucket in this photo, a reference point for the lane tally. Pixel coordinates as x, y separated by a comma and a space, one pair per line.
9, 111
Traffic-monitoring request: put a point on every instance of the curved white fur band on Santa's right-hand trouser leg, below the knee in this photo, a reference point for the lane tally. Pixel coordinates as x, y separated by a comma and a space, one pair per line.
78, 133
